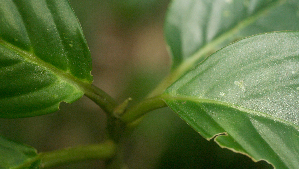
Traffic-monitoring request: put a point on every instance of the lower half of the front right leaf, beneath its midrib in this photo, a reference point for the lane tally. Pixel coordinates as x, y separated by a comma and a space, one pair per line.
258, 144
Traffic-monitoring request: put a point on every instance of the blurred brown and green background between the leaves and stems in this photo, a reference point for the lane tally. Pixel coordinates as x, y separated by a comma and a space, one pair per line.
129, 59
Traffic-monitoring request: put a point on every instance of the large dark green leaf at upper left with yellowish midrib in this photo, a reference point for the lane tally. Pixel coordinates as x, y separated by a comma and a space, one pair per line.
44, 58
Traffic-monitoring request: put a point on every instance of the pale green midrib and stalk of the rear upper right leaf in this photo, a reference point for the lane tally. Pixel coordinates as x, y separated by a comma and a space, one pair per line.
209, 48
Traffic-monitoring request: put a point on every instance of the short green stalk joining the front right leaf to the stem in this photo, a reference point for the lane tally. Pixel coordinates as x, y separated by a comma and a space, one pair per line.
141, 108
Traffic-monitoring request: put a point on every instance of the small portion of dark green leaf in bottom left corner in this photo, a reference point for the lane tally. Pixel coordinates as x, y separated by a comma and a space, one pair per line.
13, 155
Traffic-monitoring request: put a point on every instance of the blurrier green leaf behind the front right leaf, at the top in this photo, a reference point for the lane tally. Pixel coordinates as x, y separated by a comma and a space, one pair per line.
195, 28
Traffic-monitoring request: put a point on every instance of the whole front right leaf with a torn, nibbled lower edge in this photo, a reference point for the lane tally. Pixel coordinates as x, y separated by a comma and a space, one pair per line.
247, 96
